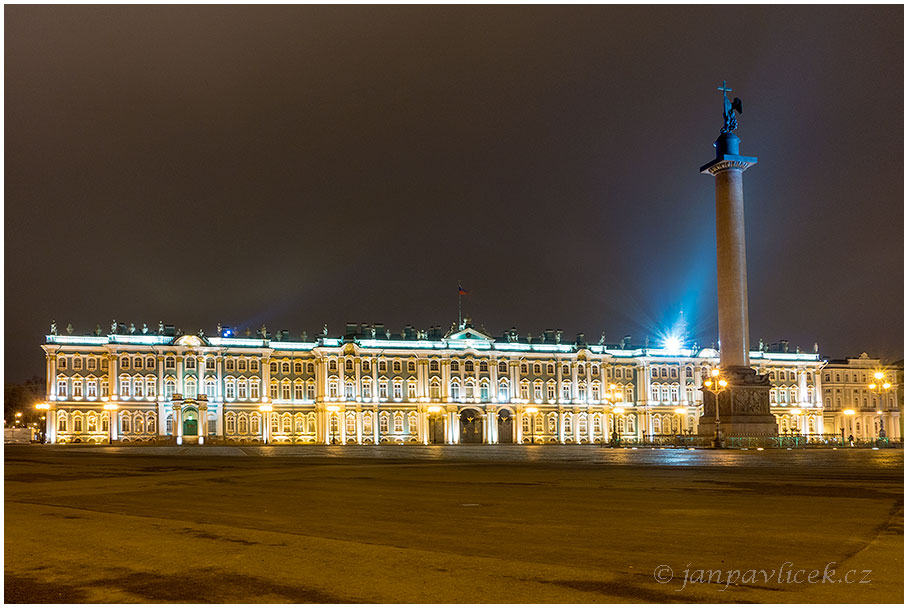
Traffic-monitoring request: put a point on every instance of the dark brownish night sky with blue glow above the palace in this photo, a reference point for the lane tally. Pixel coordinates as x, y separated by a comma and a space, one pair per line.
301, 165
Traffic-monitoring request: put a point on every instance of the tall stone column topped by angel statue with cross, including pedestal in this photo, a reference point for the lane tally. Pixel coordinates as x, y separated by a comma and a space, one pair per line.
736, 400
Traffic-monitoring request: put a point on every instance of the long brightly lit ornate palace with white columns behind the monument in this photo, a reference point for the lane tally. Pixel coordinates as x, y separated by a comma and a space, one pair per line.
369, 387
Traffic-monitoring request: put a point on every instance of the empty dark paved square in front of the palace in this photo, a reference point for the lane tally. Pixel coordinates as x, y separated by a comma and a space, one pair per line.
457, 524
